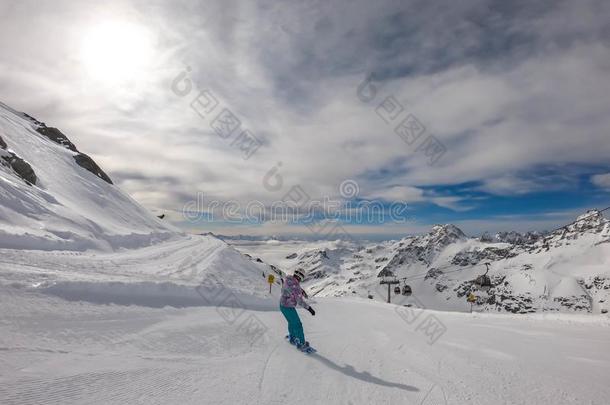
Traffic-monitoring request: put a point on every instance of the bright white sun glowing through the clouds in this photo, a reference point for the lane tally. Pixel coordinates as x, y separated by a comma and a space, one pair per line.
114, 52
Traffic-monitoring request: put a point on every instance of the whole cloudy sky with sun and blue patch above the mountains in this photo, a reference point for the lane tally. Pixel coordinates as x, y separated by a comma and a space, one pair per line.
492, 115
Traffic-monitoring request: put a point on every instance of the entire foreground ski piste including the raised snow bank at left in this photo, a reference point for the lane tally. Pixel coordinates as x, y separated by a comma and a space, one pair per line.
96, 328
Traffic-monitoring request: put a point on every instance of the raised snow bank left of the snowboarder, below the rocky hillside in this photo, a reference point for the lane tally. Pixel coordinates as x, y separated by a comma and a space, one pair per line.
177, 267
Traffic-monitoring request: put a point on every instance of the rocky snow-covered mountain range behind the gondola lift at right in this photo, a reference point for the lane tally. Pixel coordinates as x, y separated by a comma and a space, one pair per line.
565, 270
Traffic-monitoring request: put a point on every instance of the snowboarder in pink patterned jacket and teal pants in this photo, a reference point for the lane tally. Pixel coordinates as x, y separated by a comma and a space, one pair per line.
293, 295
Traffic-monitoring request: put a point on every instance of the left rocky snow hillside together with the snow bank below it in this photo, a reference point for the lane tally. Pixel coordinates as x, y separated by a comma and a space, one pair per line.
67, 230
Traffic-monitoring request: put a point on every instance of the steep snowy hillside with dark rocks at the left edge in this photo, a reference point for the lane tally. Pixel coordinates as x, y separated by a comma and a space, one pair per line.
69, 208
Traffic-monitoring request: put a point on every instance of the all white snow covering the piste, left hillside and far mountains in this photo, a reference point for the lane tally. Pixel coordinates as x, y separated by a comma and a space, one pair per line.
102, 303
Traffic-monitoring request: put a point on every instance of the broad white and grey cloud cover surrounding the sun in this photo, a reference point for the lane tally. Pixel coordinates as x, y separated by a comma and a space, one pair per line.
290, 72
